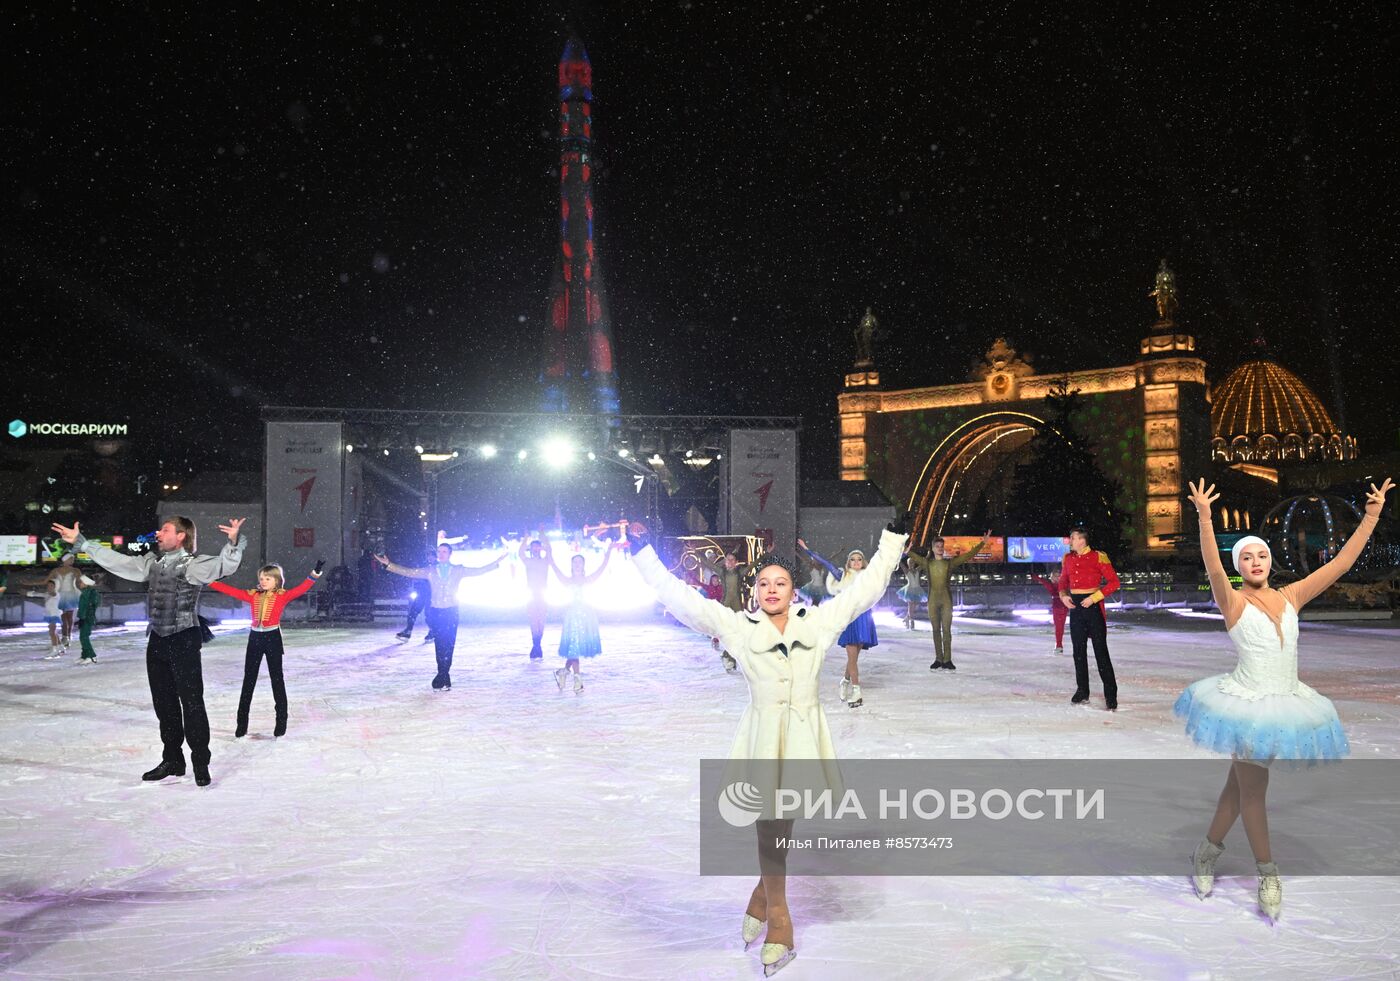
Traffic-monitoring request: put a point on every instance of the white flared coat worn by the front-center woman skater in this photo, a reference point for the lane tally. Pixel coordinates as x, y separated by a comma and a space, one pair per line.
785, 719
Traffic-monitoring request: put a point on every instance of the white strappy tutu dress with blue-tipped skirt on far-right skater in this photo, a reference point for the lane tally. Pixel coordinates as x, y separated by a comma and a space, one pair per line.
1261, 712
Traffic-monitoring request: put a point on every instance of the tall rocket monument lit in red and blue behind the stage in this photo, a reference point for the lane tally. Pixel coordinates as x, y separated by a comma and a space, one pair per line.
579, 374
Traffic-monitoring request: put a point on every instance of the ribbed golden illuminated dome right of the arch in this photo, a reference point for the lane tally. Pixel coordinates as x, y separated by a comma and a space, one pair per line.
1262, 411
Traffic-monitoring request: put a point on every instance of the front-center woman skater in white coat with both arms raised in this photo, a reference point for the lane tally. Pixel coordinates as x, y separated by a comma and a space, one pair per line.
780, 651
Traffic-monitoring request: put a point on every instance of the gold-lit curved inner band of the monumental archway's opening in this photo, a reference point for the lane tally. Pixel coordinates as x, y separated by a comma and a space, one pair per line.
974, 463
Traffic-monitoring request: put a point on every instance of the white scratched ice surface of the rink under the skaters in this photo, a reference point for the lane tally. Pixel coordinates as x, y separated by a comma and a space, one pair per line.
507, 831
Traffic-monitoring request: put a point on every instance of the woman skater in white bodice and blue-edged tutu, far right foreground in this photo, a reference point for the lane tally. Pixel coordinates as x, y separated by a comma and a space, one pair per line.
1261, 712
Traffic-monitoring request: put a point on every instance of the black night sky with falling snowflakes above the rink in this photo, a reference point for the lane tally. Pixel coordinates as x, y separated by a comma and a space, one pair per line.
205, 213
